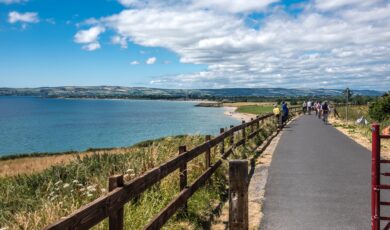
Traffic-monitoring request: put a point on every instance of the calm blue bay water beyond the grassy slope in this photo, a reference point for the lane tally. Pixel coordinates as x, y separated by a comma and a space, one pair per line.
29, 124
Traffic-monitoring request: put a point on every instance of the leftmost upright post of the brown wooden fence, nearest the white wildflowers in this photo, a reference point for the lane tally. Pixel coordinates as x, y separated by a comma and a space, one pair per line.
115, 220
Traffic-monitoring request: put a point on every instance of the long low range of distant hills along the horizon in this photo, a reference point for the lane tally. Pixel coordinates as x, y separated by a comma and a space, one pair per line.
141, 92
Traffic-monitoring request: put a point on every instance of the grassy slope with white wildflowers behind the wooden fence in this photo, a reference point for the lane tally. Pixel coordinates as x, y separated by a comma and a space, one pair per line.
35, 198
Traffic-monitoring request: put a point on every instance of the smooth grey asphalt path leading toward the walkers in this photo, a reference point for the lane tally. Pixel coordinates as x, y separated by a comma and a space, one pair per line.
318, 179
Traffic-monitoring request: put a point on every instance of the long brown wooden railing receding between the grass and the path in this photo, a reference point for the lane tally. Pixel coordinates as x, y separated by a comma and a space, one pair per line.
111, 205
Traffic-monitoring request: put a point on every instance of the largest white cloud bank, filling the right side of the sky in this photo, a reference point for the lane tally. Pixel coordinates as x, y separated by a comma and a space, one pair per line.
348, 45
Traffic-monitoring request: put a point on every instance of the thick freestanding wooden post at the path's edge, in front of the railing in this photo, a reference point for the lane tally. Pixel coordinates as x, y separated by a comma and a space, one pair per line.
238, 195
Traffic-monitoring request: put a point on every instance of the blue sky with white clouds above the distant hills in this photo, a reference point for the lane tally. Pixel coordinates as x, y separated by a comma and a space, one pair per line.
196, 43
